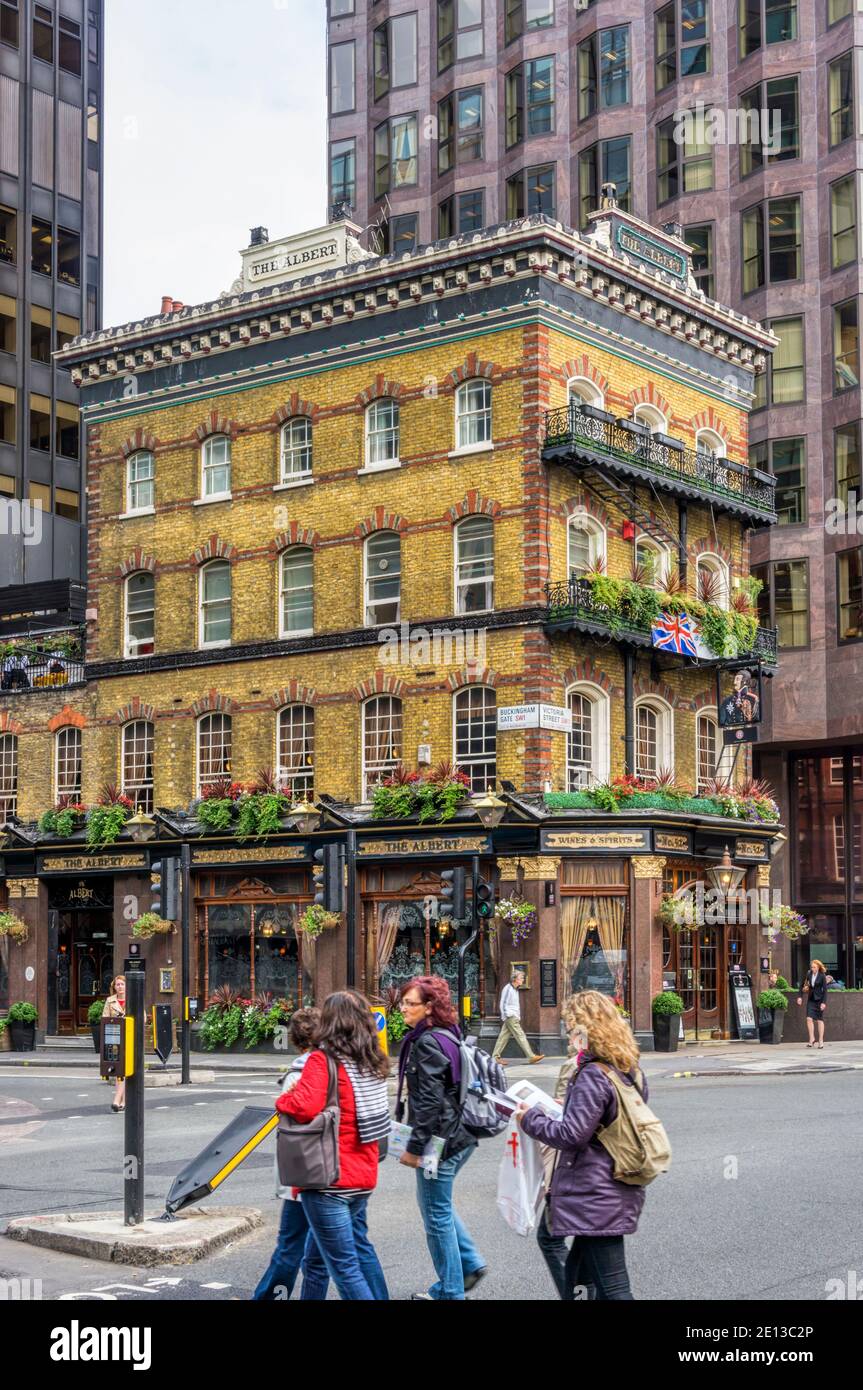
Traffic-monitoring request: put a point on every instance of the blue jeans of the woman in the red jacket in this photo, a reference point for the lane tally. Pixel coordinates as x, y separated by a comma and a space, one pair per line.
344, 1250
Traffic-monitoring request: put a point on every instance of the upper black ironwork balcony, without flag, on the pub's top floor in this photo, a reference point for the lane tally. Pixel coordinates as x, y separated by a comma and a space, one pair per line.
584, 437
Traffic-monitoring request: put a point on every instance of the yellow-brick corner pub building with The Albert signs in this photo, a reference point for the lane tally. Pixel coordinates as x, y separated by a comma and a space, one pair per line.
466, 441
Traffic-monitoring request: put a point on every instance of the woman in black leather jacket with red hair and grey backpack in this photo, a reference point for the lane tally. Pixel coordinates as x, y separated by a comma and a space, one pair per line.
431, 1067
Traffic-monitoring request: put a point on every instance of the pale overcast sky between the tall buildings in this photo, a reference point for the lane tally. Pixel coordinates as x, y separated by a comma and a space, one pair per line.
215, 123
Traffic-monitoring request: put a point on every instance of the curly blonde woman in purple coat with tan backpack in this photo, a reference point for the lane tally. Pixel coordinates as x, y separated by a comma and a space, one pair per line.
586, 1199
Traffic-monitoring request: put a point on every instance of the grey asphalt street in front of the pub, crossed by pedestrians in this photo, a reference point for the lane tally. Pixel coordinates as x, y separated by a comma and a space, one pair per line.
733, 1220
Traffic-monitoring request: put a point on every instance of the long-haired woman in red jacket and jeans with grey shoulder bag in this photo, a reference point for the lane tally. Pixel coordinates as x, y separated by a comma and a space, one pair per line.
337, 1216
